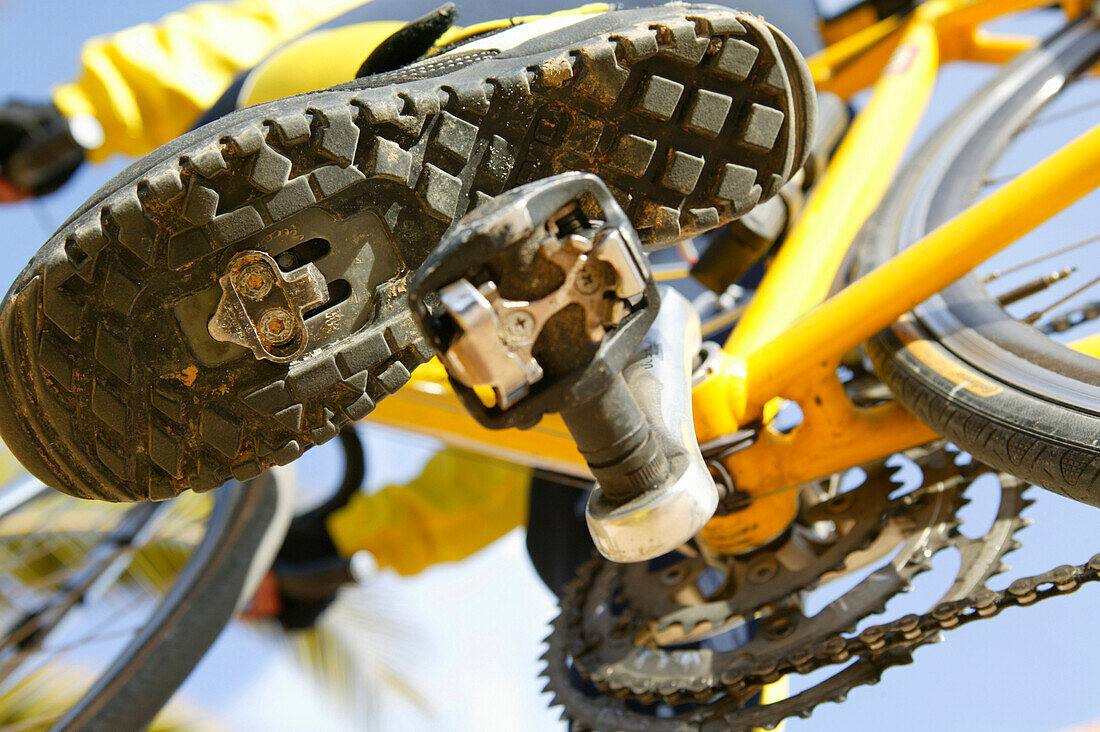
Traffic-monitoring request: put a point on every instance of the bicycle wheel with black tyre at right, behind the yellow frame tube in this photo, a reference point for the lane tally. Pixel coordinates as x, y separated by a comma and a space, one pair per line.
965, 363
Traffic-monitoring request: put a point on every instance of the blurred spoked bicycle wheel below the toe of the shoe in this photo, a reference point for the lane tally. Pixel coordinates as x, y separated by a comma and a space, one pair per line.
105, 610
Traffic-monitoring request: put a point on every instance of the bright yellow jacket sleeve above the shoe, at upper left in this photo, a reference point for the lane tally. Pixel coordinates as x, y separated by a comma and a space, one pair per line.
149, 84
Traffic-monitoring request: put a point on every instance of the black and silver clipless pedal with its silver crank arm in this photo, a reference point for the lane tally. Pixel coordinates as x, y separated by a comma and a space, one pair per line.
538, 302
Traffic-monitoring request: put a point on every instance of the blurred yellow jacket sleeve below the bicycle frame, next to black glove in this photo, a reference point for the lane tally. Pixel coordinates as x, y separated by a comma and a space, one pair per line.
463, 502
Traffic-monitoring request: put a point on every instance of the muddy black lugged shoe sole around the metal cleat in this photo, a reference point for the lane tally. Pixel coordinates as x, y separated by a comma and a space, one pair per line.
111, 386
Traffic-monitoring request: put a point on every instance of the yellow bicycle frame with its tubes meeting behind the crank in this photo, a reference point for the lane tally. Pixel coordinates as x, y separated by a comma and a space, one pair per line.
791, 340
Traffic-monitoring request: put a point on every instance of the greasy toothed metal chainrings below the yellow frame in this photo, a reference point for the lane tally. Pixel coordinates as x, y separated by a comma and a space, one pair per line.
684, 642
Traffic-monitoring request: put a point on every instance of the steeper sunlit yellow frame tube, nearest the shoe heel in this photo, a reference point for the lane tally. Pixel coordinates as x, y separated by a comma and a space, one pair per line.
859, 177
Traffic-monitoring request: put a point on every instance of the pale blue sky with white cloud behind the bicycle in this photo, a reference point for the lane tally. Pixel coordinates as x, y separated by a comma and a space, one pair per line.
1028, 670
